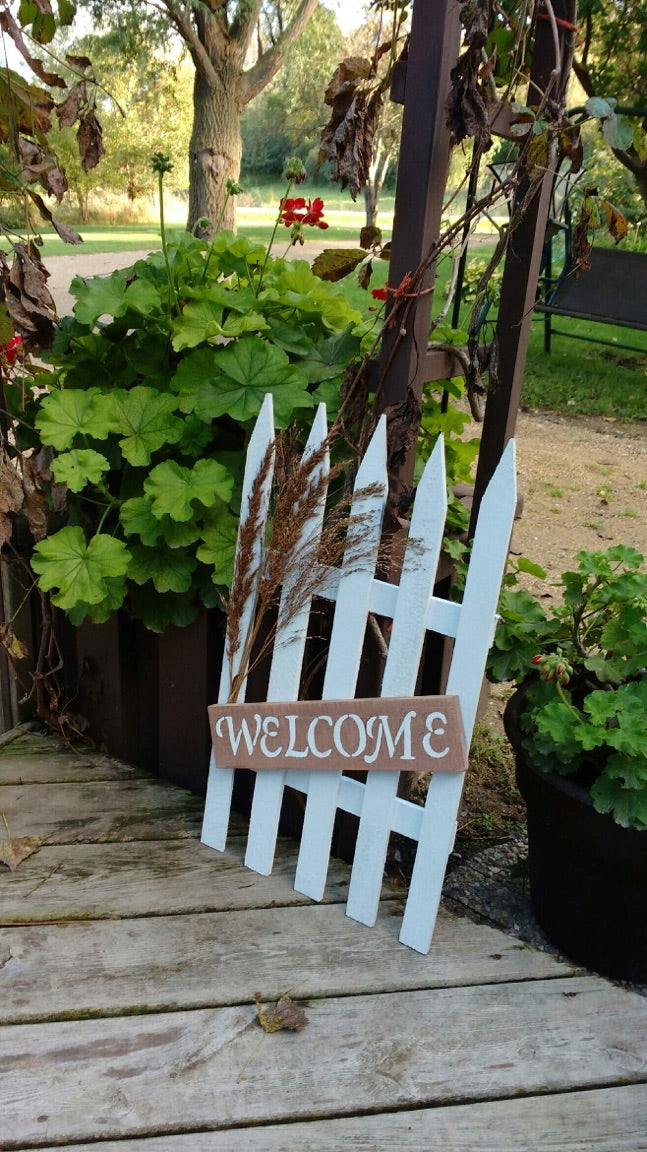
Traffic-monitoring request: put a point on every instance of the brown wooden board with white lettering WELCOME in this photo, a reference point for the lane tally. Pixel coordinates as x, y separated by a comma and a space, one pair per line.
404, 734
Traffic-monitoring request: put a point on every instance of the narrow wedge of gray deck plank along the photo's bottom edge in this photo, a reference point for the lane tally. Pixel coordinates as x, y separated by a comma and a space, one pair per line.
597, 1121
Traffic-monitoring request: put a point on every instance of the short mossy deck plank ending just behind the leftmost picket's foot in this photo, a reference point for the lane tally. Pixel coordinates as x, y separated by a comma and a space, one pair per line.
101, 812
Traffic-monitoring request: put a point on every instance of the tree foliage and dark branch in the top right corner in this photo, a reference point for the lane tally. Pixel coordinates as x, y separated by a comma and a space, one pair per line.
612, 63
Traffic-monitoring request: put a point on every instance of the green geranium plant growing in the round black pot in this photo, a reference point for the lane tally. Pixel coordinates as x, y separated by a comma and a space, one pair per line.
583, 666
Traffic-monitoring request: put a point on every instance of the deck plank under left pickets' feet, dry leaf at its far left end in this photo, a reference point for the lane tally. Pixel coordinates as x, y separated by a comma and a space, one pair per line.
161, 877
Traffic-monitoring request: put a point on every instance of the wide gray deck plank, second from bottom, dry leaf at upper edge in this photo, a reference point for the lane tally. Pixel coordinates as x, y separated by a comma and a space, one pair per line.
215, 1068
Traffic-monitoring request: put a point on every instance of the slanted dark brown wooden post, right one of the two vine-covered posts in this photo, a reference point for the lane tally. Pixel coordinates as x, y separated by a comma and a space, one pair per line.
519, 290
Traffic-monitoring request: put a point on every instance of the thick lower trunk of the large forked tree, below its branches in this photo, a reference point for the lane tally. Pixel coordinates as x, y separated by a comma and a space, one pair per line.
216, 149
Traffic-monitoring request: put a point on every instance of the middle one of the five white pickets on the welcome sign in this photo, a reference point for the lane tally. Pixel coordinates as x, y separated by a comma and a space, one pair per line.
347, 642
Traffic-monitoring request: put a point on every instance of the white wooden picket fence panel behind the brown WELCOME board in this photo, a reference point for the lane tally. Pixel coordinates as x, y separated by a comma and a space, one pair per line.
414, 610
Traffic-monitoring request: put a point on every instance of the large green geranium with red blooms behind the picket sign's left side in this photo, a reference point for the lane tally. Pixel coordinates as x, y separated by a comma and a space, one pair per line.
155, 386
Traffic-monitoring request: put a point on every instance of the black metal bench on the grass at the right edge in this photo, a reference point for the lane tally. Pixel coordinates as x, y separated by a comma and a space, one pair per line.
614, 291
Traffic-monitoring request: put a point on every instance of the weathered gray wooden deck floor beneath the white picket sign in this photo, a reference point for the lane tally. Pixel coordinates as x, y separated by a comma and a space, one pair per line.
161, 945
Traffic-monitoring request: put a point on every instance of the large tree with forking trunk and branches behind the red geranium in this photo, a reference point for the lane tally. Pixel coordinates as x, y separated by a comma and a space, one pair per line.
222, 36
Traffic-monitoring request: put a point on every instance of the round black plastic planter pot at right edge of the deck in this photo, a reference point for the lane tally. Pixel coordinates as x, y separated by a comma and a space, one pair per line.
588, 876
